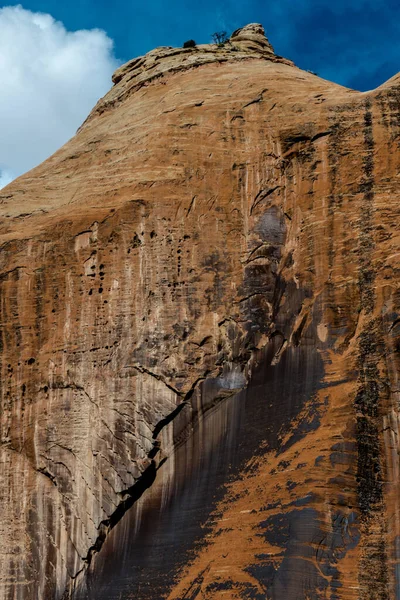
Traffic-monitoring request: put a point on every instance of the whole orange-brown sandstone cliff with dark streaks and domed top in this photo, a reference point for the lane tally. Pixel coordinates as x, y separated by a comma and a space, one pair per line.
200, 337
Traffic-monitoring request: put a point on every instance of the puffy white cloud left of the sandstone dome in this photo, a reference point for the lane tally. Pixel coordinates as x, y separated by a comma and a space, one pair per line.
50, 78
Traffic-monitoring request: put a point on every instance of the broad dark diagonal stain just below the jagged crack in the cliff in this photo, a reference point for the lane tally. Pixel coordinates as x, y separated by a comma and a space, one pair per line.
142, 555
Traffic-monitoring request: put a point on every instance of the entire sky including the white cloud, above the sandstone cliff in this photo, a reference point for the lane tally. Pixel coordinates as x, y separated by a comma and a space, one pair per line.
57, 56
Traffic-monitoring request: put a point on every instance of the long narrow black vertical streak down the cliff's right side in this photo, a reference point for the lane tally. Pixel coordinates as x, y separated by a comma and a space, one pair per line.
368, 402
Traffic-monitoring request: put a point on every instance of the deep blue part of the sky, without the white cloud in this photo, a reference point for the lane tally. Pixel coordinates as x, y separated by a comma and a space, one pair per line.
352, 42
